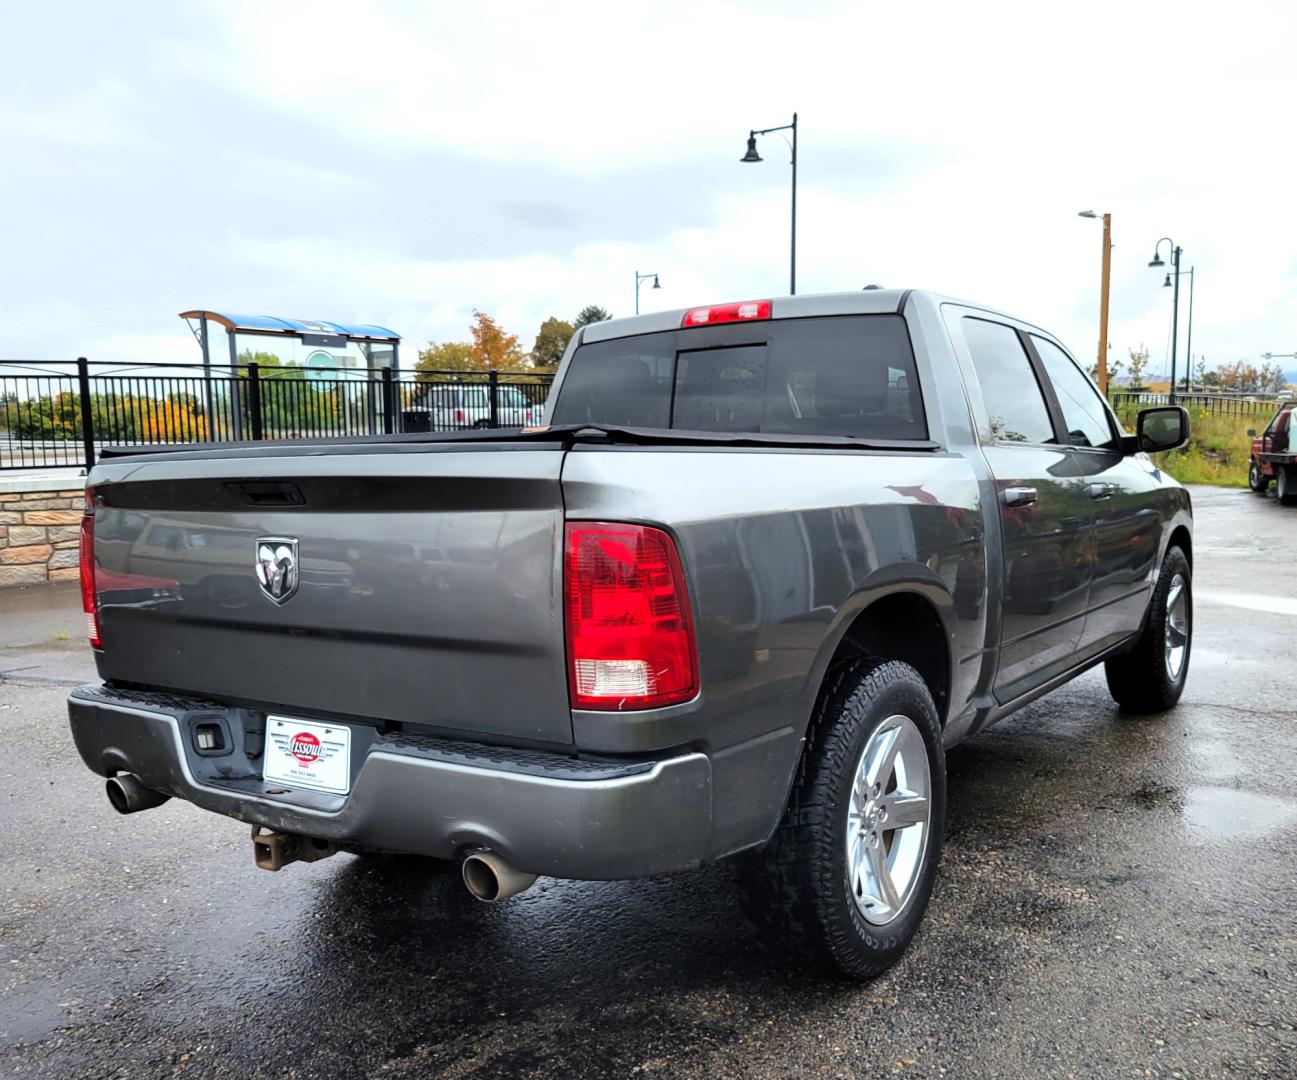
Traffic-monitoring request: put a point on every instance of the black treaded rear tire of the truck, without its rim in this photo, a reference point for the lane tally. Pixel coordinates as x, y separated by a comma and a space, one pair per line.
796, 889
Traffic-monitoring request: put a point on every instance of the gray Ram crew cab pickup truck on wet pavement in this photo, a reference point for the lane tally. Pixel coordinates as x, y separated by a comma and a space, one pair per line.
765, 565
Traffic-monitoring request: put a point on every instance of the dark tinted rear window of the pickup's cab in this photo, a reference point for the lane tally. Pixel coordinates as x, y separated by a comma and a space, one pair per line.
850, 375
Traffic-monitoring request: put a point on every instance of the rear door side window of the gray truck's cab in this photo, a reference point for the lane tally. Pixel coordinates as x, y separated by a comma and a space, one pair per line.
1010, 390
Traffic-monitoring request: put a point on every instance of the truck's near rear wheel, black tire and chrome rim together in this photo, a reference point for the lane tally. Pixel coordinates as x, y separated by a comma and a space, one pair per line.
846, 878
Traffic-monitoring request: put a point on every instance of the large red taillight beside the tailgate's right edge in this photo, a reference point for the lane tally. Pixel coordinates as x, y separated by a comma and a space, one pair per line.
630, 636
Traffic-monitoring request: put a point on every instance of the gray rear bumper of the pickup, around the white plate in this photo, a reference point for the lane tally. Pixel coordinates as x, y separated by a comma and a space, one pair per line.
545, 814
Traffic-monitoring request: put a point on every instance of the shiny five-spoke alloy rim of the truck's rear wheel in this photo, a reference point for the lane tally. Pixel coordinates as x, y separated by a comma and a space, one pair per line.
889, 820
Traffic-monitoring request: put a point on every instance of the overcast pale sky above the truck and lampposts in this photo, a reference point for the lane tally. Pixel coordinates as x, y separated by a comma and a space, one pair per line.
404, 164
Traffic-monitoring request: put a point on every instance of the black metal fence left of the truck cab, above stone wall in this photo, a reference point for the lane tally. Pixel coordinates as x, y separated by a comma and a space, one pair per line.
58, 416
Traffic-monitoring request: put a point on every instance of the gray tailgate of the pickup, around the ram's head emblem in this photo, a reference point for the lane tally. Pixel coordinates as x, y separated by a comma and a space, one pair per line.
427, 588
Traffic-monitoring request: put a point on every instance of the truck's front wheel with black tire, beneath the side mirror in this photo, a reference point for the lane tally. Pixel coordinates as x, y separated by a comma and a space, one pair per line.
1151, 677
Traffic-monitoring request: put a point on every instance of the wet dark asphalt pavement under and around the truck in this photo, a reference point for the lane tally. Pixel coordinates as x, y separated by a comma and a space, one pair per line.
1117, 899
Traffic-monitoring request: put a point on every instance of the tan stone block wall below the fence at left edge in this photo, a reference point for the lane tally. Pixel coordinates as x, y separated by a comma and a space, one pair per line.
41, 536
